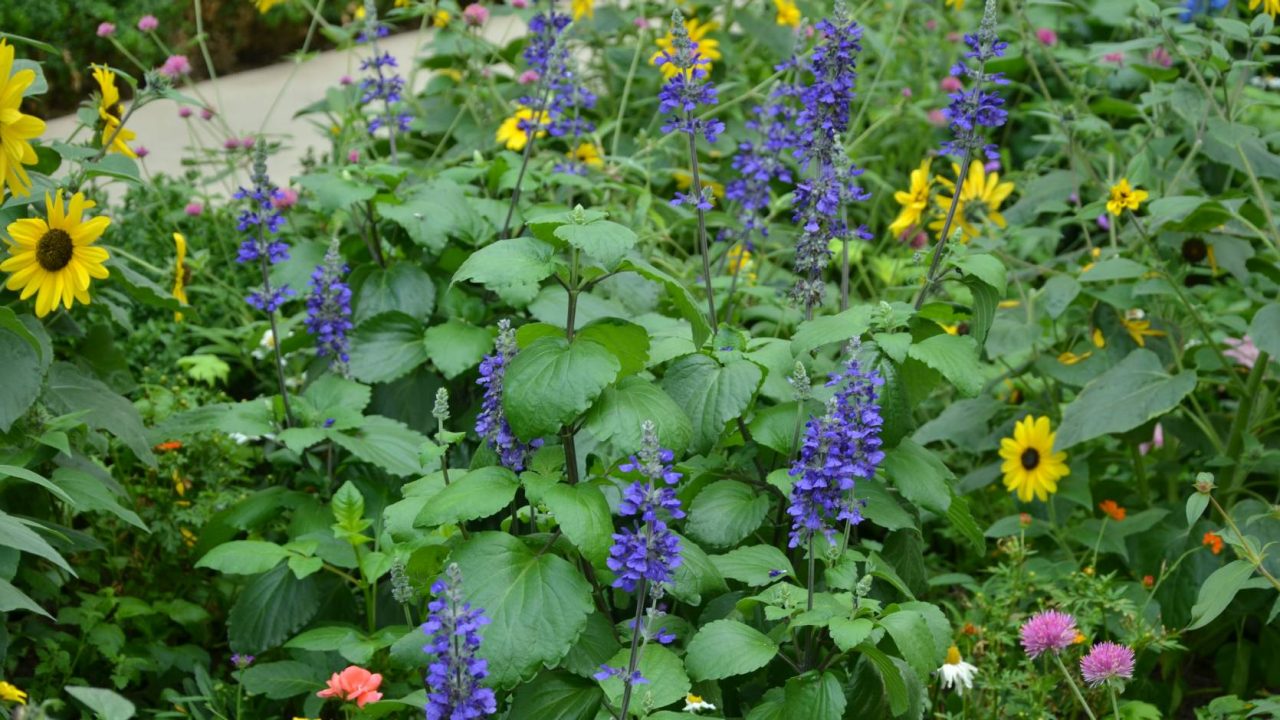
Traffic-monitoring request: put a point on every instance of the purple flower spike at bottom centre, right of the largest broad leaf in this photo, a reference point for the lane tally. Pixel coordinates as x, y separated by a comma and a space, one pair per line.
646, 555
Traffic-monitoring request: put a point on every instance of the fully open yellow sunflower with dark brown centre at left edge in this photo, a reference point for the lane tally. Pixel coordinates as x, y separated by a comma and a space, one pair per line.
57, 257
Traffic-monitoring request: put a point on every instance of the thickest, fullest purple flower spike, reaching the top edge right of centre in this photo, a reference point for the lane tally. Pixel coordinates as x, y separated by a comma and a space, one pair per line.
831, 181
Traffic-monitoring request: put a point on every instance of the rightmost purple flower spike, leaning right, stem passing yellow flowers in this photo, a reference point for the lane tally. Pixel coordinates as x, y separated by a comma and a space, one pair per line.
970, 113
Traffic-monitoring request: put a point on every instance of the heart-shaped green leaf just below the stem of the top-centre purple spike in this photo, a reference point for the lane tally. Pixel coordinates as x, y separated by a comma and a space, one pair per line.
712, 395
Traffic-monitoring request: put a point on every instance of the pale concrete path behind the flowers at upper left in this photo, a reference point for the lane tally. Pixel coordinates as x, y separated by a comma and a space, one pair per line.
264, 102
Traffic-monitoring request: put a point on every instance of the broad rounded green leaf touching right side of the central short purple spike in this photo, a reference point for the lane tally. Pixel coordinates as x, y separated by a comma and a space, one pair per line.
552, 382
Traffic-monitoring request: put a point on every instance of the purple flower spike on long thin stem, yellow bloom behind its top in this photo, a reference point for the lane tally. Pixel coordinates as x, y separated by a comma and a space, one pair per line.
683, 93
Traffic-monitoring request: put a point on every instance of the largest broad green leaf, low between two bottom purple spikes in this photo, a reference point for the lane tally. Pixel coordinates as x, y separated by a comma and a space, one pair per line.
538, 604
